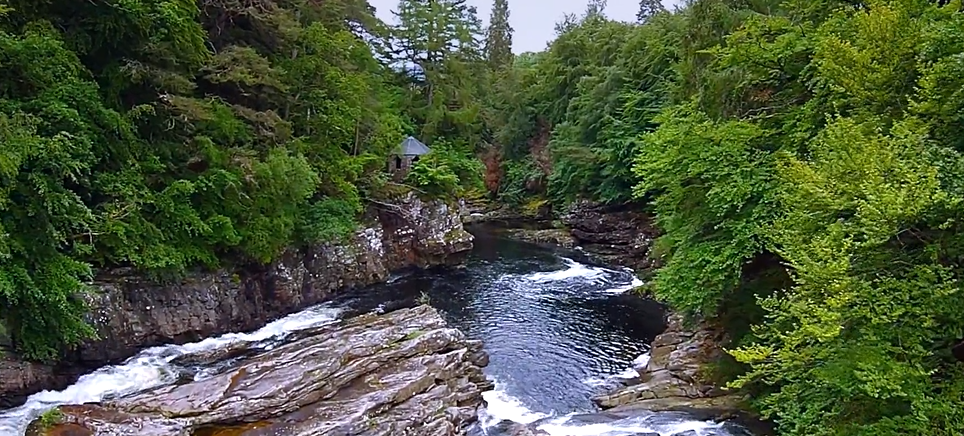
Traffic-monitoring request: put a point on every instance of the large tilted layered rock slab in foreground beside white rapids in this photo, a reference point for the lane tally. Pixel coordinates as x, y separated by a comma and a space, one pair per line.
400, 373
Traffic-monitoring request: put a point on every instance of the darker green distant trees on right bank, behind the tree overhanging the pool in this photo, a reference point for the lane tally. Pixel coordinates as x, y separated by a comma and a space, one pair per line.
598, 86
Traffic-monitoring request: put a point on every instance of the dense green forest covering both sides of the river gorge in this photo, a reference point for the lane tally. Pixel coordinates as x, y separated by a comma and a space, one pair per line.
800, 158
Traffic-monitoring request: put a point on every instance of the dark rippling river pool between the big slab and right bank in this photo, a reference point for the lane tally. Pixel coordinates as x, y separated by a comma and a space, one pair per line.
555, 329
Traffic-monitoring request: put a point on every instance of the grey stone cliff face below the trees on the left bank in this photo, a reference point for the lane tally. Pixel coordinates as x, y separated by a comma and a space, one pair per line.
131, 313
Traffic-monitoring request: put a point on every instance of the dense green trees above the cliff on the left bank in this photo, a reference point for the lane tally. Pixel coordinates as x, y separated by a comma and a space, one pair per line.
158, 137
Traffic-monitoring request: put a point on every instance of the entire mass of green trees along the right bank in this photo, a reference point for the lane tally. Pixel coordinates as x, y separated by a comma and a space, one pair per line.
804, 162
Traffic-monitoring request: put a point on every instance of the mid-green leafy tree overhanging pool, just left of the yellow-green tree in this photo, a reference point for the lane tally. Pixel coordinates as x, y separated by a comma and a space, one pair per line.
713, 189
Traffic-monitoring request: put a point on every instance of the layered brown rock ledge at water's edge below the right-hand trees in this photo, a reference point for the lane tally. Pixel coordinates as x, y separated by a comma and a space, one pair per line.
671, 379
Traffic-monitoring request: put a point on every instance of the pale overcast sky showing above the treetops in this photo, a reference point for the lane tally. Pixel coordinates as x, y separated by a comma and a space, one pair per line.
533, 20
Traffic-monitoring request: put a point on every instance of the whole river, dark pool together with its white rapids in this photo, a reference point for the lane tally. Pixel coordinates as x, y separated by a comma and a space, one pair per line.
557, 330
